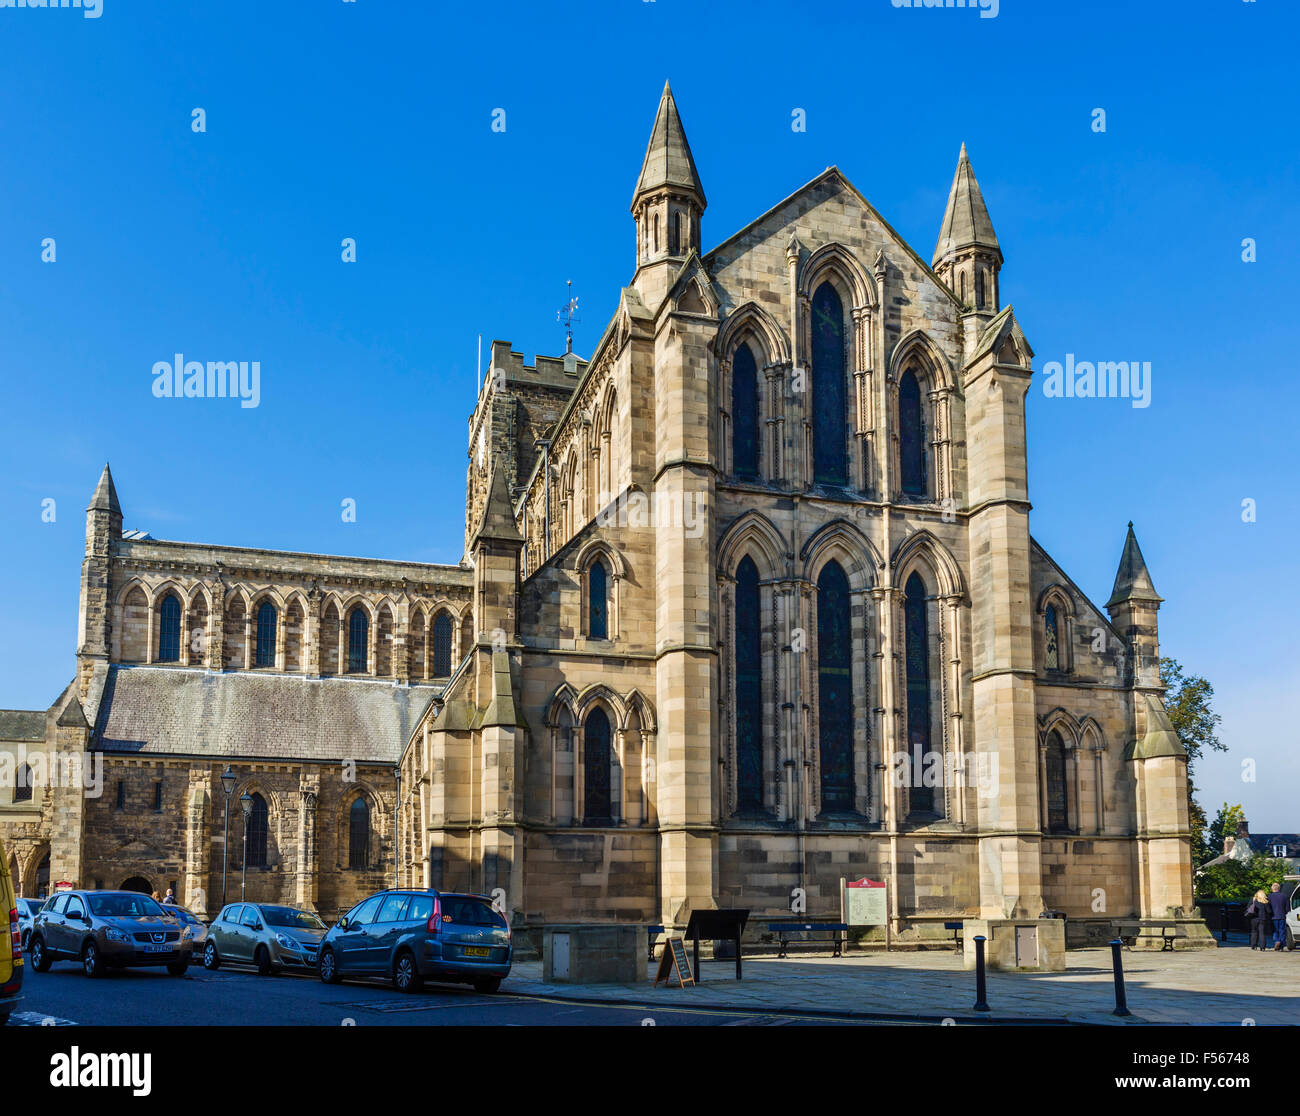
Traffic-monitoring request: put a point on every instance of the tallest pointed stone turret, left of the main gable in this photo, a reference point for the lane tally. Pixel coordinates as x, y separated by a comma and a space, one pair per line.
668, 206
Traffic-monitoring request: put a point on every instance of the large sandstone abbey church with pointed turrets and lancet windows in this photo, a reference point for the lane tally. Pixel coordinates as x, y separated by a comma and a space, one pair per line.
749, 605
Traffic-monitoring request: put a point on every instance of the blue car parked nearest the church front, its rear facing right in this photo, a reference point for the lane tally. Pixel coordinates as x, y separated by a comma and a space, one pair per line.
411, 935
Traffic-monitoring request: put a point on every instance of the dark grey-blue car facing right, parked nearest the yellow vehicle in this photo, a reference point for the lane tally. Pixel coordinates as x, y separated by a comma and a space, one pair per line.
106, 931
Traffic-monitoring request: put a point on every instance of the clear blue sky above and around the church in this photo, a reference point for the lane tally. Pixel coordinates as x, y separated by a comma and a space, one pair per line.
374, 120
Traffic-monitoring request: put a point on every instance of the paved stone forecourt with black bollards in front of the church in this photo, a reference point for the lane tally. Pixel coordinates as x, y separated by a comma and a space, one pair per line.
1232, 985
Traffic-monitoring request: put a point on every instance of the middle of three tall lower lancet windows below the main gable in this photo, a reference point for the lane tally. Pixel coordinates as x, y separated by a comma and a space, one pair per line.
835, 689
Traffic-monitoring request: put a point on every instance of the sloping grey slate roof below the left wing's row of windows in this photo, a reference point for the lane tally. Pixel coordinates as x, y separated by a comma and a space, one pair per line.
161, 711
